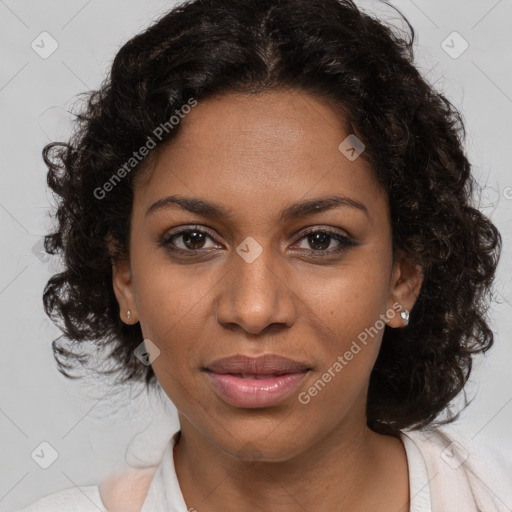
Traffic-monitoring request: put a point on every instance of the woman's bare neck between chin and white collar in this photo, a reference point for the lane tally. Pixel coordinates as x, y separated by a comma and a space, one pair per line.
351, 468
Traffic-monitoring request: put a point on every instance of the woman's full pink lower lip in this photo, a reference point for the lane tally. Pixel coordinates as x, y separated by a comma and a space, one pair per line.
253, 393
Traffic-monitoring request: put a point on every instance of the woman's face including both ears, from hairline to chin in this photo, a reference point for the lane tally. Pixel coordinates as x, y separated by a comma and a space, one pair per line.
237, 274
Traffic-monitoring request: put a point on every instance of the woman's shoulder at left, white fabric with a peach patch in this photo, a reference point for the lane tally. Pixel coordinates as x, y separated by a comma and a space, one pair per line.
124, 492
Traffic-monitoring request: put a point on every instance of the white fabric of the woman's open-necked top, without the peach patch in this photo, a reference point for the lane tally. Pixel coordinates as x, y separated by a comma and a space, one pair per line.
446, 473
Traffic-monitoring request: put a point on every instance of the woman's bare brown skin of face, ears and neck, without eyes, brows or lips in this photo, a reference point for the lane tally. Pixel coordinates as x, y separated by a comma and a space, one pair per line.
256, 155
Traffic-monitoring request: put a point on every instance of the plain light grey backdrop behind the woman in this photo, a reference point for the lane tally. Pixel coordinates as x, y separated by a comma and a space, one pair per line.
92, 430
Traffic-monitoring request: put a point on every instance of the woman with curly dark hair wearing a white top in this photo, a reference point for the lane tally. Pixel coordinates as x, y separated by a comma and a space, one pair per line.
267, 212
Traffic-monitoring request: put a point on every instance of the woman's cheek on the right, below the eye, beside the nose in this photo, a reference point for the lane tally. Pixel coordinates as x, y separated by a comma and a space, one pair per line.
349, 309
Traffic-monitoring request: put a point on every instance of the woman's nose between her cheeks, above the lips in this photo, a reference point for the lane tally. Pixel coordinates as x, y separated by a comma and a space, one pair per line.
256, 296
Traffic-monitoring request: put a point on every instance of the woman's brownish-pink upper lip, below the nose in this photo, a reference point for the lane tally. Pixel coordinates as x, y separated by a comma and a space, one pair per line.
267, 364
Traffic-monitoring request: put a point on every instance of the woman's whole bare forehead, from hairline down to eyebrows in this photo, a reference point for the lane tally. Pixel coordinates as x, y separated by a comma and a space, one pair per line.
261, 150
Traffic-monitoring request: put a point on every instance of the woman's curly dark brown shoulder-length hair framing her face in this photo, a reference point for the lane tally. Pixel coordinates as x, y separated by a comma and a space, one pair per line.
414, 144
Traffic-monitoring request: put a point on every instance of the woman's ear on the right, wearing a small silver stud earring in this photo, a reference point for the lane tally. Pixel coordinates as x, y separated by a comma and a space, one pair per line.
405, 286
